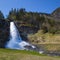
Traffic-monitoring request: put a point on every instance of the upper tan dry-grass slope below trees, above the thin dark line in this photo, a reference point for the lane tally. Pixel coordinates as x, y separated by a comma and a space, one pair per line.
41, 38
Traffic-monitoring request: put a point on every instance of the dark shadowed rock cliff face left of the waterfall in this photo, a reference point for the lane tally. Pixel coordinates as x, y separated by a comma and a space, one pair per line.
4, 32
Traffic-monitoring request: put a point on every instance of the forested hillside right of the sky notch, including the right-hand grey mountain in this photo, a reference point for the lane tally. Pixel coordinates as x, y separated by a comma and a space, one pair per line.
39, 21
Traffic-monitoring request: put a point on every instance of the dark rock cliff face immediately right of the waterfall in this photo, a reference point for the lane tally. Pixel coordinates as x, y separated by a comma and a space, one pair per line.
25, 30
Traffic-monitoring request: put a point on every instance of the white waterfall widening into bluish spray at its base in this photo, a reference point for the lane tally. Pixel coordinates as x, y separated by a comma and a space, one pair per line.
15, 41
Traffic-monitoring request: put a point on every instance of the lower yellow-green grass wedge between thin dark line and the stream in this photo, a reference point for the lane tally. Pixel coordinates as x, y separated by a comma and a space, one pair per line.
50, 47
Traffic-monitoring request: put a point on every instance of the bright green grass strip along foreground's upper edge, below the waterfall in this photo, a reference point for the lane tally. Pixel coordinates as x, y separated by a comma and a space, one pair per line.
19, 51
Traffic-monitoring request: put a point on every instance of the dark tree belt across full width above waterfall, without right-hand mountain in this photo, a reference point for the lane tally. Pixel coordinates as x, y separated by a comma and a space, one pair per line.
33, 19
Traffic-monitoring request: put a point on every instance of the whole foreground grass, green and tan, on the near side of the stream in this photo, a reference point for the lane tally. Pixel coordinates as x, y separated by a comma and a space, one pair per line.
6, 54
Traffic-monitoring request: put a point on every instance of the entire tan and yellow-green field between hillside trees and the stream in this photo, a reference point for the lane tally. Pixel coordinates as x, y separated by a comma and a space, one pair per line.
48, 41
